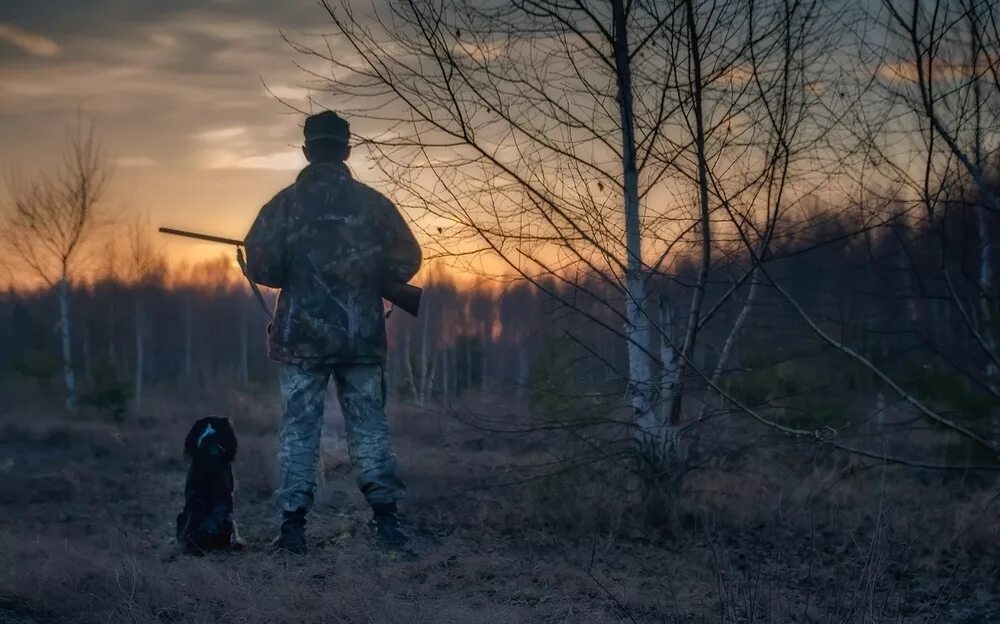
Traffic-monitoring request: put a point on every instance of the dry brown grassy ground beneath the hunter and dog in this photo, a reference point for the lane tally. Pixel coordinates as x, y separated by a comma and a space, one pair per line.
87, 509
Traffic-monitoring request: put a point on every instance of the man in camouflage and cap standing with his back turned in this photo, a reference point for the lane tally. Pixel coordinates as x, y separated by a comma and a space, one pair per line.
329, 242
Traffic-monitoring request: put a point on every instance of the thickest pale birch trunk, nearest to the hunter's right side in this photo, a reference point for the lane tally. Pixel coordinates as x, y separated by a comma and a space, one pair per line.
648, 429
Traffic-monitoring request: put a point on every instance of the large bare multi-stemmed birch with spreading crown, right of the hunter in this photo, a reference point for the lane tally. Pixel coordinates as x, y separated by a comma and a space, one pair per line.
568, 139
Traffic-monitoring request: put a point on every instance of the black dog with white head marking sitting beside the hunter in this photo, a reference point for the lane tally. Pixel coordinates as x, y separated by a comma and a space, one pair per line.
206, 523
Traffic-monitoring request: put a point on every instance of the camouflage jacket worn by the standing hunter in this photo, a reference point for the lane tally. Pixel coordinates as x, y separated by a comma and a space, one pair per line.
329, 242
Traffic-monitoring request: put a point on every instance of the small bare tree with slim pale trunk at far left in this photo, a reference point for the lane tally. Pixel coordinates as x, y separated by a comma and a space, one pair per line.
49, 221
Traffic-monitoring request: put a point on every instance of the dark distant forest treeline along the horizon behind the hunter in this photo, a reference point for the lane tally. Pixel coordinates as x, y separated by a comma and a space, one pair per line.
907, 296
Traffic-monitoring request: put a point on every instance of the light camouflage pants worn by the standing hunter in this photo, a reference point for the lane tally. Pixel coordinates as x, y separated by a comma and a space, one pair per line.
361, 389
